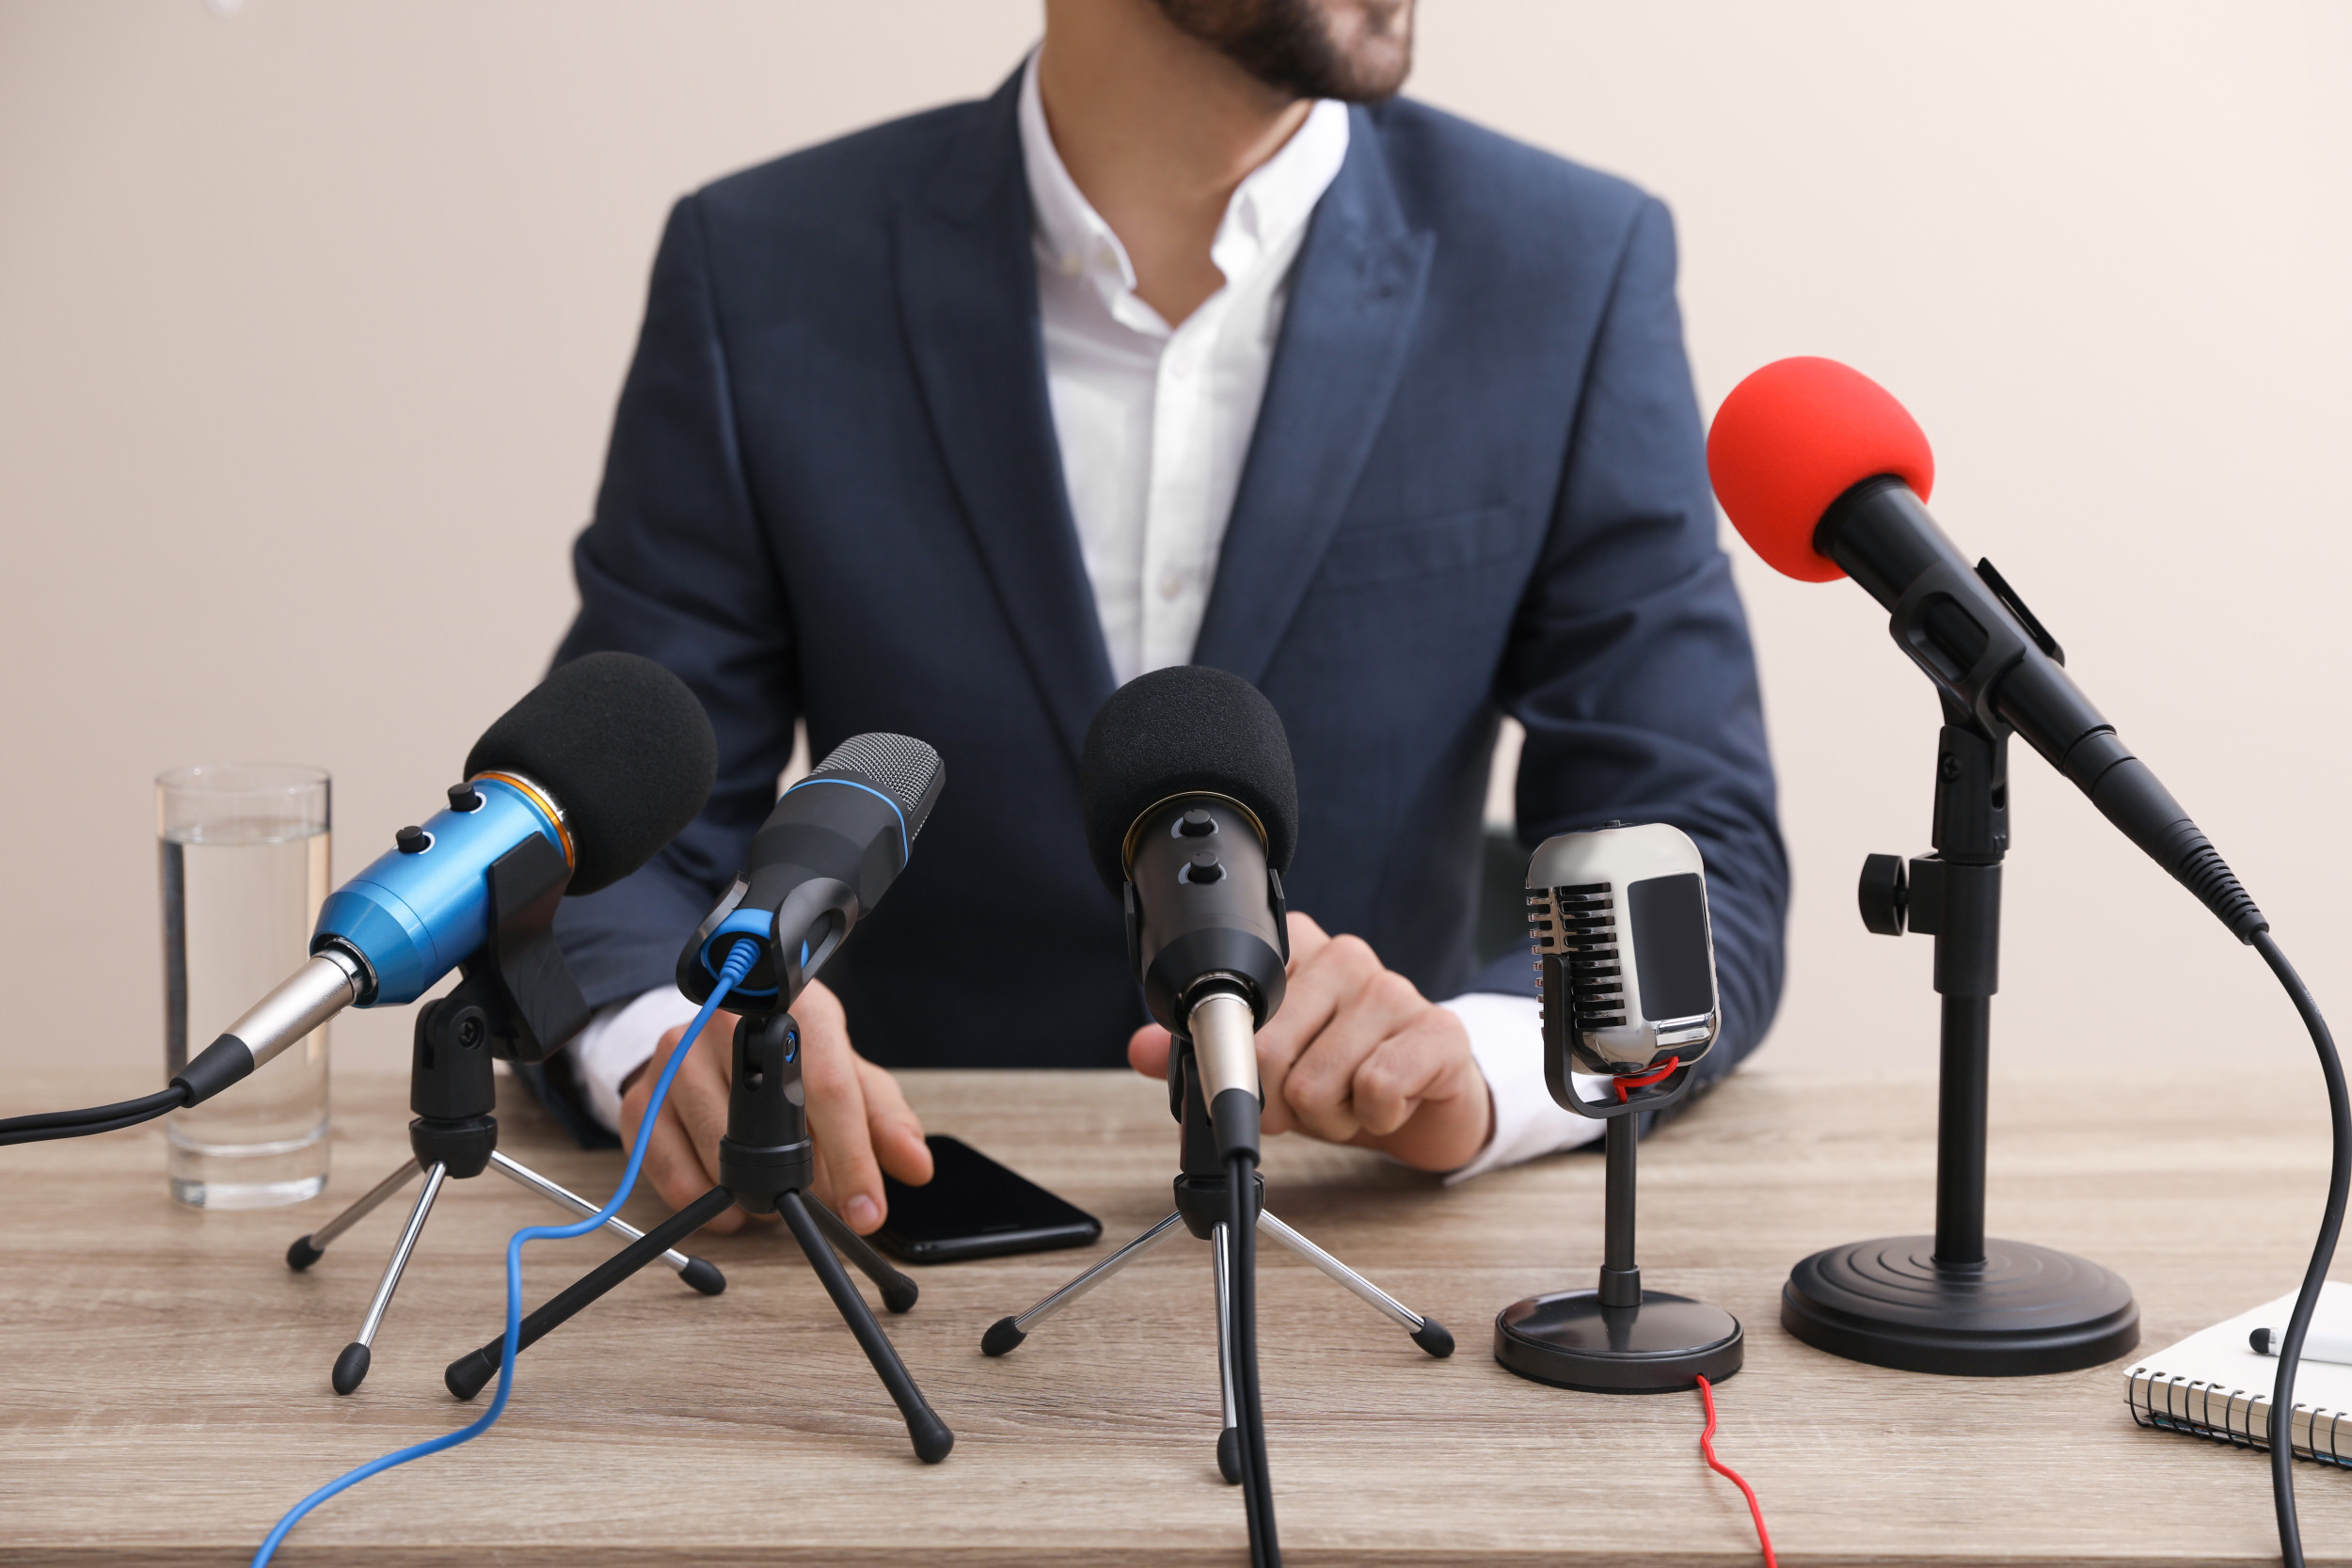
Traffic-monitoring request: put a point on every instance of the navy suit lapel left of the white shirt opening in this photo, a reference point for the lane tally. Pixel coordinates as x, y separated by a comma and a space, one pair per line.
968, 290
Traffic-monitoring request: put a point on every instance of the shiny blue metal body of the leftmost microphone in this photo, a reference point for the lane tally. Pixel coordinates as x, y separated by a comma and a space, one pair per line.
415, 913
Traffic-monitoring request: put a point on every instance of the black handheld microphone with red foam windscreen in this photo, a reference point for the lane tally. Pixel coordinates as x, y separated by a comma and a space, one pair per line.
1826, 476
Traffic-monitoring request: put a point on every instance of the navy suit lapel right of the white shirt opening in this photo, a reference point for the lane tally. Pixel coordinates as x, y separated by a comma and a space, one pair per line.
1354, 302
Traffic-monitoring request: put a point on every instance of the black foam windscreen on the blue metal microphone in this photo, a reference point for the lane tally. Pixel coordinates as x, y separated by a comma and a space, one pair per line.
622, 746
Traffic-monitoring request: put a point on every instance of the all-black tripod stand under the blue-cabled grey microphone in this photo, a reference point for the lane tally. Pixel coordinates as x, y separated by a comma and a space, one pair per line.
766, 1167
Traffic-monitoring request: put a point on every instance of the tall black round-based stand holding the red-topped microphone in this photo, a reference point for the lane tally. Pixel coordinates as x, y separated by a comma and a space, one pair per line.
1958, 1304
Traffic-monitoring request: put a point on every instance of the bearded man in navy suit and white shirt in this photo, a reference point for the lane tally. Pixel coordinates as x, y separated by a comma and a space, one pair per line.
1189, 344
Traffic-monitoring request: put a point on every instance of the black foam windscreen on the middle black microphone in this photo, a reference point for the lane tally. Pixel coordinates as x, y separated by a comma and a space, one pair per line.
1180, 732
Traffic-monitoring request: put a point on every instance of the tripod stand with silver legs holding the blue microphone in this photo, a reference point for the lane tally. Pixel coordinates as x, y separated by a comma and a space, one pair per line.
516, 996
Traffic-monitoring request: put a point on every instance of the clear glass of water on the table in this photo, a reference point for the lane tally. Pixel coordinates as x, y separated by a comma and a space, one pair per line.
243, 859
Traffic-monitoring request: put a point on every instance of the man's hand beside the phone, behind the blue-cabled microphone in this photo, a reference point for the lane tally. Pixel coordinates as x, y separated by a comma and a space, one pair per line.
857, 1118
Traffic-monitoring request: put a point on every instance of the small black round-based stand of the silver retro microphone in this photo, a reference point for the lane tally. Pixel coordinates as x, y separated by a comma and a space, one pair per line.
1622, 1339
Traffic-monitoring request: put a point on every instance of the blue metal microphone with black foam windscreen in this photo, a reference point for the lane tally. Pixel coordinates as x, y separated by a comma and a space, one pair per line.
603, 765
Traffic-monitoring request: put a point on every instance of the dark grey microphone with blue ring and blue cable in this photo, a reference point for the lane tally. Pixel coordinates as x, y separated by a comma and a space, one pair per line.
822, 859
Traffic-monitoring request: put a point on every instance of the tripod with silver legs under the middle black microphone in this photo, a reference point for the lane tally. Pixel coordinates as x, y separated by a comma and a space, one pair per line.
1203, 1207
